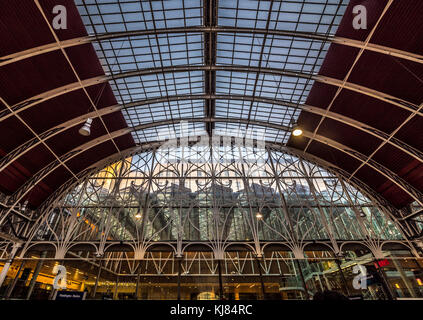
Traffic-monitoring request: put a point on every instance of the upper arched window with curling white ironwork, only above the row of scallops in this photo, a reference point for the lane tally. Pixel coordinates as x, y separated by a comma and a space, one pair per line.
216, 195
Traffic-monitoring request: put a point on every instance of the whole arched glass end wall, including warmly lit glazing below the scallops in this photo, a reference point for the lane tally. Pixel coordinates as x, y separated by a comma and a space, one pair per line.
218, 219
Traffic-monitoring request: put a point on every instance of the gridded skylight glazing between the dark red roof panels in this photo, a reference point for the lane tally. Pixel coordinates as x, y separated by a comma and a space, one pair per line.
177, 33
